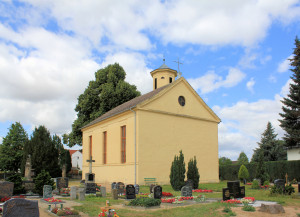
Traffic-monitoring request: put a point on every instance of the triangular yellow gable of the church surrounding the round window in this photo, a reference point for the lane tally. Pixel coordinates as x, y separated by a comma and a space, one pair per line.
168, 102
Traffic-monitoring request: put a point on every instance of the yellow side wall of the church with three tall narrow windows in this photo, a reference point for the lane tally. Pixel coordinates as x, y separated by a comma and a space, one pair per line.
113, 170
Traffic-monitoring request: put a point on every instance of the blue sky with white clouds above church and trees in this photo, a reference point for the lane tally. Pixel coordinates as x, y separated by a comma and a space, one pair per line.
234, 54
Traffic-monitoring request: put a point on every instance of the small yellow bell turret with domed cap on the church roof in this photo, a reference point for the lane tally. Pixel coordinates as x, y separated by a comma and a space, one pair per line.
163, 76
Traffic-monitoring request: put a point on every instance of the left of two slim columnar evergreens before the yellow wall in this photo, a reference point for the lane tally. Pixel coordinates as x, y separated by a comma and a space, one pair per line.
177, 174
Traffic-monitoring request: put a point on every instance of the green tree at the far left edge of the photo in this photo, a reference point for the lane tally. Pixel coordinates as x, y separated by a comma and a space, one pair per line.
11, 150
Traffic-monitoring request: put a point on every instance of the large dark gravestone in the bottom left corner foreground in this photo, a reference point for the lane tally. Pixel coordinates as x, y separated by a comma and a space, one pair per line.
20, 207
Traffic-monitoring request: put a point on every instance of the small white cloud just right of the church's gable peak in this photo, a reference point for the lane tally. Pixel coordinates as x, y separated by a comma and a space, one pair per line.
211, 81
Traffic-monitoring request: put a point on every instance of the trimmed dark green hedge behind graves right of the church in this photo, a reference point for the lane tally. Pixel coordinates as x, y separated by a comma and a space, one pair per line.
276, 170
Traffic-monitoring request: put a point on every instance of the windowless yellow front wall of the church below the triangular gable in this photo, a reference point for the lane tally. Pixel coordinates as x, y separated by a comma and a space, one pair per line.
162, 136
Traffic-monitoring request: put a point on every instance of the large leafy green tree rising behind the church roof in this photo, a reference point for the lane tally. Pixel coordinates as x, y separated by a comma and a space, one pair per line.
108, 90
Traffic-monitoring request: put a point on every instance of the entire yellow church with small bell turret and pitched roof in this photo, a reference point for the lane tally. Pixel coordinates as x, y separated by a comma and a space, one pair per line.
140, 138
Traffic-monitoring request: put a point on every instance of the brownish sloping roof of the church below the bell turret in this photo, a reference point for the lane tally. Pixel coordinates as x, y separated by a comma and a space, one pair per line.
127, 105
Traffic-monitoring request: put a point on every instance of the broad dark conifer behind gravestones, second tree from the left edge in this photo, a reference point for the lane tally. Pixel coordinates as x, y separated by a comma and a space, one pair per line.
43, 151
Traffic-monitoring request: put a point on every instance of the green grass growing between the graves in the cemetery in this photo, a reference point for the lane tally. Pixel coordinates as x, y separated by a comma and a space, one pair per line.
92, 204
